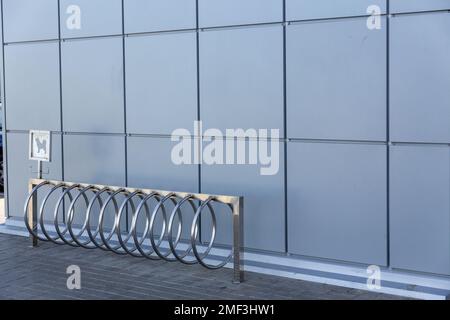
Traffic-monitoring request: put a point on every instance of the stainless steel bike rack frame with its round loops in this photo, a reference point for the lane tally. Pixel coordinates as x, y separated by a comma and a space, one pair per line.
234, 203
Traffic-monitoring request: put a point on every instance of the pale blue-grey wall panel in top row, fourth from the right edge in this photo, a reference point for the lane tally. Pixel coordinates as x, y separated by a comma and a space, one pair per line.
159, 15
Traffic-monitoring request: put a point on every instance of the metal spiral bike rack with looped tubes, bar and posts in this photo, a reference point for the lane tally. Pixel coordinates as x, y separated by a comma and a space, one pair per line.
34, 218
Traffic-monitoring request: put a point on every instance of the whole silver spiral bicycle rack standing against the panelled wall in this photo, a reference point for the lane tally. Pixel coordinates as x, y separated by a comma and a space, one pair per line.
132, 242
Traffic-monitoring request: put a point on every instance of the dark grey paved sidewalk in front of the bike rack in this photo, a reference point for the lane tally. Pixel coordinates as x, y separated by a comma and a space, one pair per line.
40, 273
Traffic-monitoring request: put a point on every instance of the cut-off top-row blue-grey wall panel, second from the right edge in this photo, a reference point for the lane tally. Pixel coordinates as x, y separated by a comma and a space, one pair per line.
317, 9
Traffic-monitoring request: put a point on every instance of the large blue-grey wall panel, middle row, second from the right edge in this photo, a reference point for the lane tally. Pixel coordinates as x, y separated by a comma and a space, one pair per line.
336, 80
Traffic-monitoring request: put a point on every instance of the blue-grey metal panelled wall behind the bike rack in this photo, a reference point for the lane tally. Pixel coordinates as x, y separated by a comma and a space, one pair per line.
362, 112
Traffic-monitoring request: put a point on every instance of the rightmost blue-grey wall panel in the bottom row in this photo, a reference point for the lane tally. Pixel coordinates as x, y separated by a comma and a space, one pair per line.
420, 208
